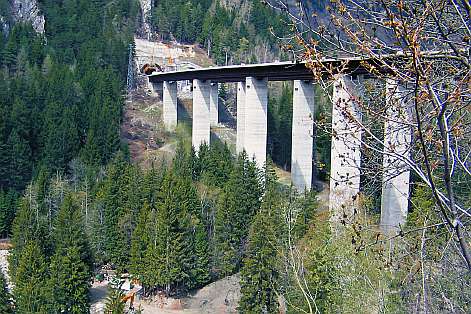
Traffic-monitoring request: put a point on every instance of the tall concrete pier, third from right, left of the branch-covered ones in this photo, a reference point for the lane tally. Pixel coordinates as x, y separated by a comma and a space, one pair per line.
302, 135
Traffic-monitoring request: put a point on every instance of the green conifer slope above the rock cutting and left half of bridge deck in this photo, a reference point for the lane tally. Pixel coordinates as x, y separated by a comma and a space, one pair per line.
242, 31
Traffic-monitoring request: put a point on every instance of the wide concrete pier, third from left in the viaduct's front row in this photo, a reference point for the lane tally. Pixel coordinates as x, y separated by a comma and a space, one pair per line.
256, 100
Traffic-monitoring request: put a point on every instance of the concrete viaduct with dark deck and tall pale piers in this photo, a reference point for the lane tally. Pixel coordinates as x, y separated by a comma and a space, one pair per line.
252, 101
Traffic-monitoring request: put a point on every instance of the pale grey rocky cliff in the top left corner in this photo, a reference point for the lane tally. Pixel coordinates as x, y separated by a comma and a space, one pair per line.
26, 11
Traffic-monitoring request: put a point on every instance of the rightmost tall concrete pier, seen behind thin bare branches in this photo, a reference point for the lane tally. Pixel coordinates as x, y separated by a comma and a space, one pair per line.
396, 173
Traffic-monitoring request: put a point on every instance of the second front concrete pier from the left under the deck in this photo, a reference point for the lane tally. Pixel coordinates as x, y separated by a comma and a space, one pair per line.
201, 124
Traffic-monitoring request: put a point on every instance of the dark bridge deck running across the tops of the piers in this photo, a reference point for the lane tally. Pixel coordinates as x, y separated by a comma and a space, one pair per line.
278, 71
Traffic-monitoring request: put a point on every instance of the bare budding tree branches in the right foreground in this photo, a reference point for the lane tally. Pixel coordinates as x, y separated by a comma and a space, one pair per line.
423, 46
